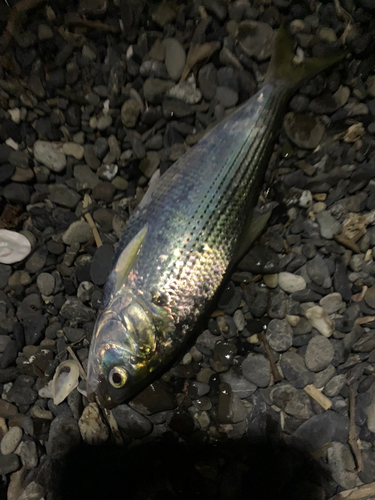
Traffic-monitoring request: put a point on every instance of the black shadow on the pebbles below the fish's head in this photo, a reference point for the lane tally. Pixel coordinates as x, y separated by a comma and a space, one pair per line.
189, 469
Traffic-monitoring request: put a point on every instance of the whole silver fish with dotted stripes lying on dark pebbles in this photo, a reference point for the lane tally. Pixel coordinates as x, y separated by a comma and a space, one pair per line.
177, 246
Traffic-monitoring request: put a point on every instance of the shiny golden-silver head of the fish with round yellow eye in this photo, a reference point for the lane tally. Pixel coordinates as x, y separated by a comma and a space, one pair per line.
122, 345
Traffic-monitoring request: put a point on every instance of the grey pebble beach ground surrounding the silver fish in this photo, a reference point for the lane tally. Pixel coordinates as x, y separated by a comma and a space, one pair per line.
261, 405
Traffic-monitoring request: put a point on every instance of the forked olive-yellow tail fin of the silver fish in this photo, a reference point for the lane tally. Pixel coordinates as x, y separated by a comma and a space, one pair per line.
283, 66
